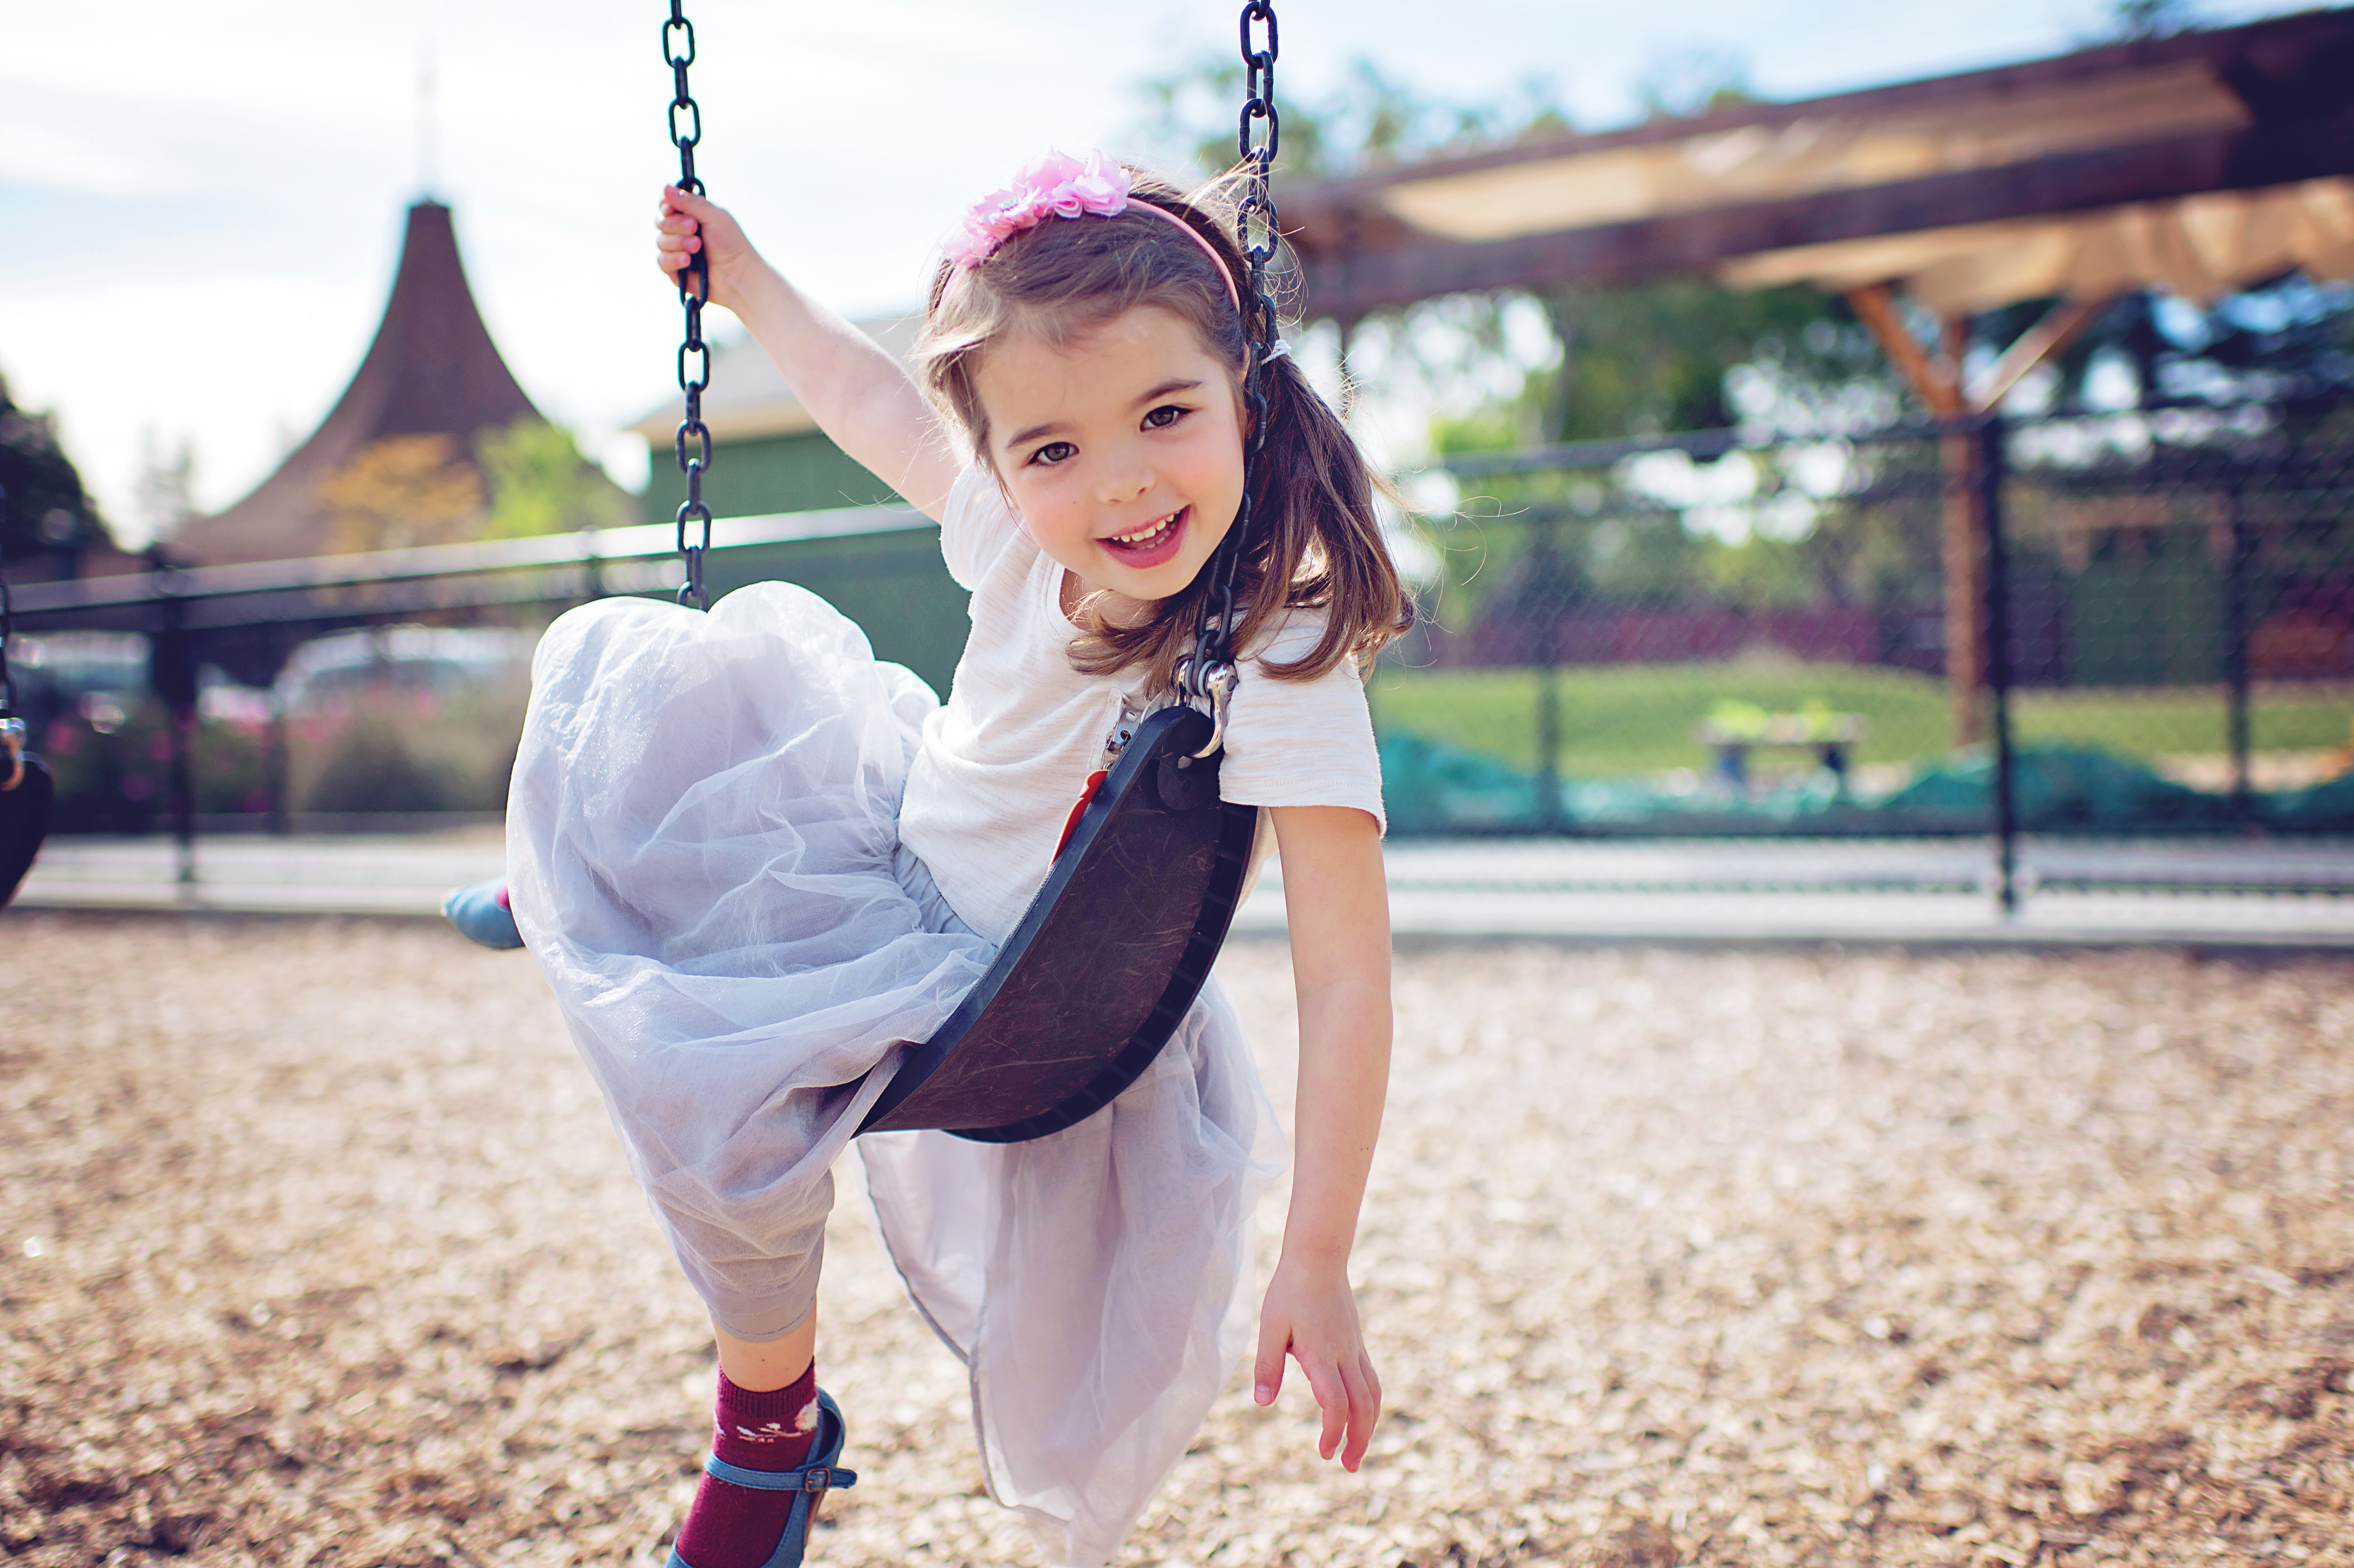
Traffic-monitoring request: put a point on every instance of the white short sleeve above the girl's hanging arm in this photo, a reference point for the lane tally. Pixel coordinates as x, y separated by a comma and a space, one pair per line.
1301, 743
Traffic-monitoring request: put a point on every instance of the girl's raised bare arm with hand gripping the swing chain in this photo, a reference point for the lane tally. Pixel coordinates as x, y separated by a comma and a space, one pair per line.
856, 392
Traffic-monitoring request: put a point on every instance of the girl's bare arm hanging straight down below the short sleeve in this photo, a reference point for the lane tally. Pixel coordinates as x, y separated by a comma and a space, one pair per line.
1338, 908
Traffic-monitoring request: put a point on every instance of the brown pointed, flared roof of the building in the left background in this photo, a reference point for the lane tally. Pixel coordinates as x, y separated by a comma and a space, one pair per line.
430, 373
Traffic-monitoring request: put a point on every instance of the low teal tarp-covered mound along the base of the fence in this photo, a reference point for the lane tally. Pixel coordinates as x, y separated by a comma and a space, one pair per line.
1435, 788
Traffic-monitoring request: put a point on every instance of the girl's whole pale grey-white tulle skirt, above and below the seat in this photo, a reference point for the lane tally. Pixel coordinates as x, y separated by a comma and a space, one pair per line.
705, 863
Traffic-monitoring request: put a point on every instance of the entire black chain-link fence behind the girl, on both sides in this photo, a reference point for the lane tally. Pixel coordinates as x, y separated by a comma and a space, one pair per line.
2103, 625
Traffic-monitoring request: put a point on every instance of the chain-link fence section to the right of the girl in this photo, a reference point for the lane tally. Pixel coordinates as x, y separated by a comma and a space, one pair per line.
2129, 623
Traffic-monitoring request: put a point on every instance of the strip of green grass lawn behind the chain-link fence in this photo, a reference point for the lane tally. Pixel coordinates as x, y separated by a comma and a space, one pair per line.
1630, 719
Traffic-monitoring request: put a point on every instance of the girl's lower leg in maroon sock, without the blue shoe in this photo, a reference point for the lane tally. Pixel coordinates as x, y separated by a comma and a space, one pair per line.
766, 1418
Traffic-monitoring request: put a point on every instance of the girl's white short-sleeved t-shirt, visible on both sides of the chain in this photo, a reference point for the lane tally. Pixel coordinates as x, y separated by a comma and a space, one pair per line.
1004, 762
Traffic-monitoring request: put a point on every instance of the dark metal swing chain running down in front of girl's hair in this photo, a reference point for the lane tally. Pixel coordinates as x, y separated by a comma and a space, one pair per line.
1209, 675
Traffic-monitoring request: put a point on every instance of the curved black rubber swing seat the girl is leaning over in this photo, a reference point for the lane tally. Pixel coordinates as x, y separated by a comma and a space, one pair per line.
1105, 962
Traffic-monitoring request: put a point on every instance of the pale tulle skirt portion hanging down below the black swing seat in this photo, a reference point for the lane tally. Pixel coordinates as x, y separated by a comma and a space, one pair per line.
1096, 1282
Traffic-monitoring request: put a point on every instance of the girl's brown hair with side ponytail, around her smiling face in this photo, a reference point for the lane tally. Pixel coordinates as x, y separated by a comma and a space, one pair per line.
1315, 536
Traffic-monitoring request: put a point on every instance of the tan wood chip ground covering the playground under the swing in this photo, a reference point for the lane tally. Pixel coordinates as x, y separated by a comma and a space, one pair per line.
317, 1249
